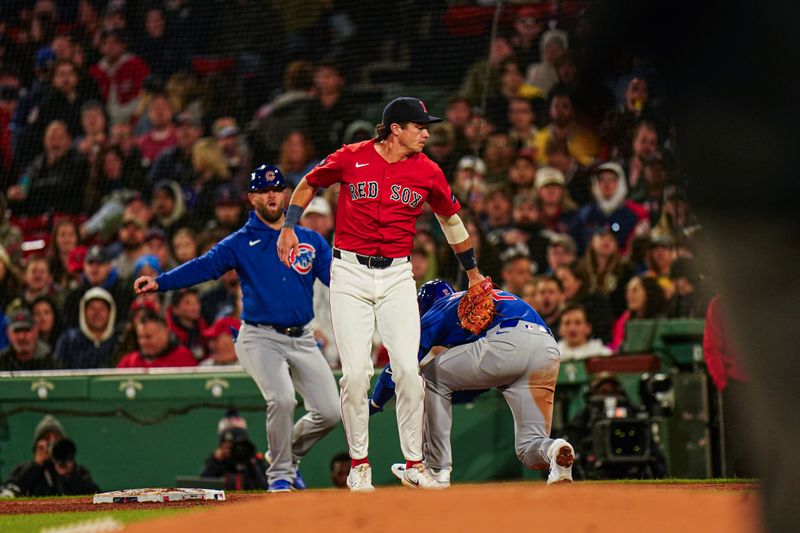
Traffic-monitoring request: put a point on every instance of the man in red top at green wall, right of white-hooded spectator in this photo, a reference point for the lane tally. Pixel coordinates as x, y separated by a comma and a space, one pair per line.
157, 346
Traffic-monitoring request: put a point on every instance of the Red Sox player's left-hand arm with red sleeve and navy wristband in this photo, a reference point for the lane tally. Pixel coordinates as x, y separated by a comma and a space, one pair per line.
325, 174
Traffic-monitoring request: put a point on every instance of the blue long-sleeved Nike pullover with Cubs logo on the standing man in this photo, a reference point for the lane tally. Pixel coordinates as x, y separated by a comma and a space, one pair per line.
271, 293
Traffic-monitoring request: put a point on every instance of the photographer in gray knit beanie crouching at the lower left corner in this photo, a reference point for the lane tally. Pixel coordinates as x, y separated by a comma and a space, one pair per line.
53, 470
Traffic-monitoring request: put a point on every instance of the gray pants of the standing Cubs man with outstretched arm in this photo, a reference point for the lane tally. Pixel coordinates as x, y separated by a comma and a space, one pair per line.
279, 364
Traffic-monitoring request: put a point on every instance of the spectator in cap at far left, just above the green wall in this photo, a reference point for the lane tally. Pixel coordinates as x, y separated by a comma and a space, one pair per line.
25, 351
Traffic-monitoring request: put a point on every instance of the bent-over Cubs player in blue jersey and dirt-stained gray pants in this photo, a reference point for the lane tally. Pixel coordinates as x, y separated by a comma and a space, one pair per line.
516, 354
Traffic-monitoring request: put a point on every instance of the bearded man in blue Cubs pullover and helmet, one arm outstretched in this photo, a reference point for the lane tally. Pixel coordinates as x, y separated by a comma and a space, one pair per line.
275, 345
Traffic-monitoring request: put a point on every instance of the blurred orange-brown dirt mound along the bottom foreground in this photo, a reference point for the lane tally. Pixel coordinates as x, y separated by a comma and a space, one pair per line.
508, 507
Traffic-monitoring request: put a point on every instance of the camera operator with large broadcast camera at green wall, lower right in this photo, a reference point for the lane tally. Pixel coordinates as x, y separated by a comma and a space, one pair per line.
614, 439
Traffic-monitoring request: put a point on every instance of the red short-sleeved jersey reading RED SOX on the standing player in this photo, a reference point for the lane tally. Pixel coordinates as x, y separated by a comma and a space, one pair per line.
379, 202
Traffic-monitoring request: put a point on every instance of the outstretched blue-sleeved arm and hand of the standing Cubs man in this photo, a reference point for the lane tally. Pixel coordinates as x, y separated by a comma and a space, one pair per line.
210, 265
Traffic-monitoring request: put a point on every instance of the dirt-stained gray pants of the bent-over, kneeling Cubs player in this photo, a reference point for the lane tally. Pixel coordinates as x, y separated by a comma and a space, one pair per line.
522, 362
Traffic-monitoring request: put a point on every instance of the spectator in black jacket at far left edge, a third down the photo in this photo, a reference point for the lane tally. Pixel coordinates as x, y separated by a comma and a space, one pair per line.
55, 180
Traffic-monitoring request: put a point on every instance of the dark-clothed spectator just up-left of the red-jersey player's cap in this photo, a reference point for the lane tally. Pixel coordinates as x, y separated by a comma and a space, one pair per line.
332, 109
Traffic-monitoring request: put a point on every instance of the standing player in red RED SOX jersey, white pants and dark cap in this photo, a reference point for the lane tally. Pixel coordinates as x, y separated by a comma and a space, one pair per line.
384, 182
